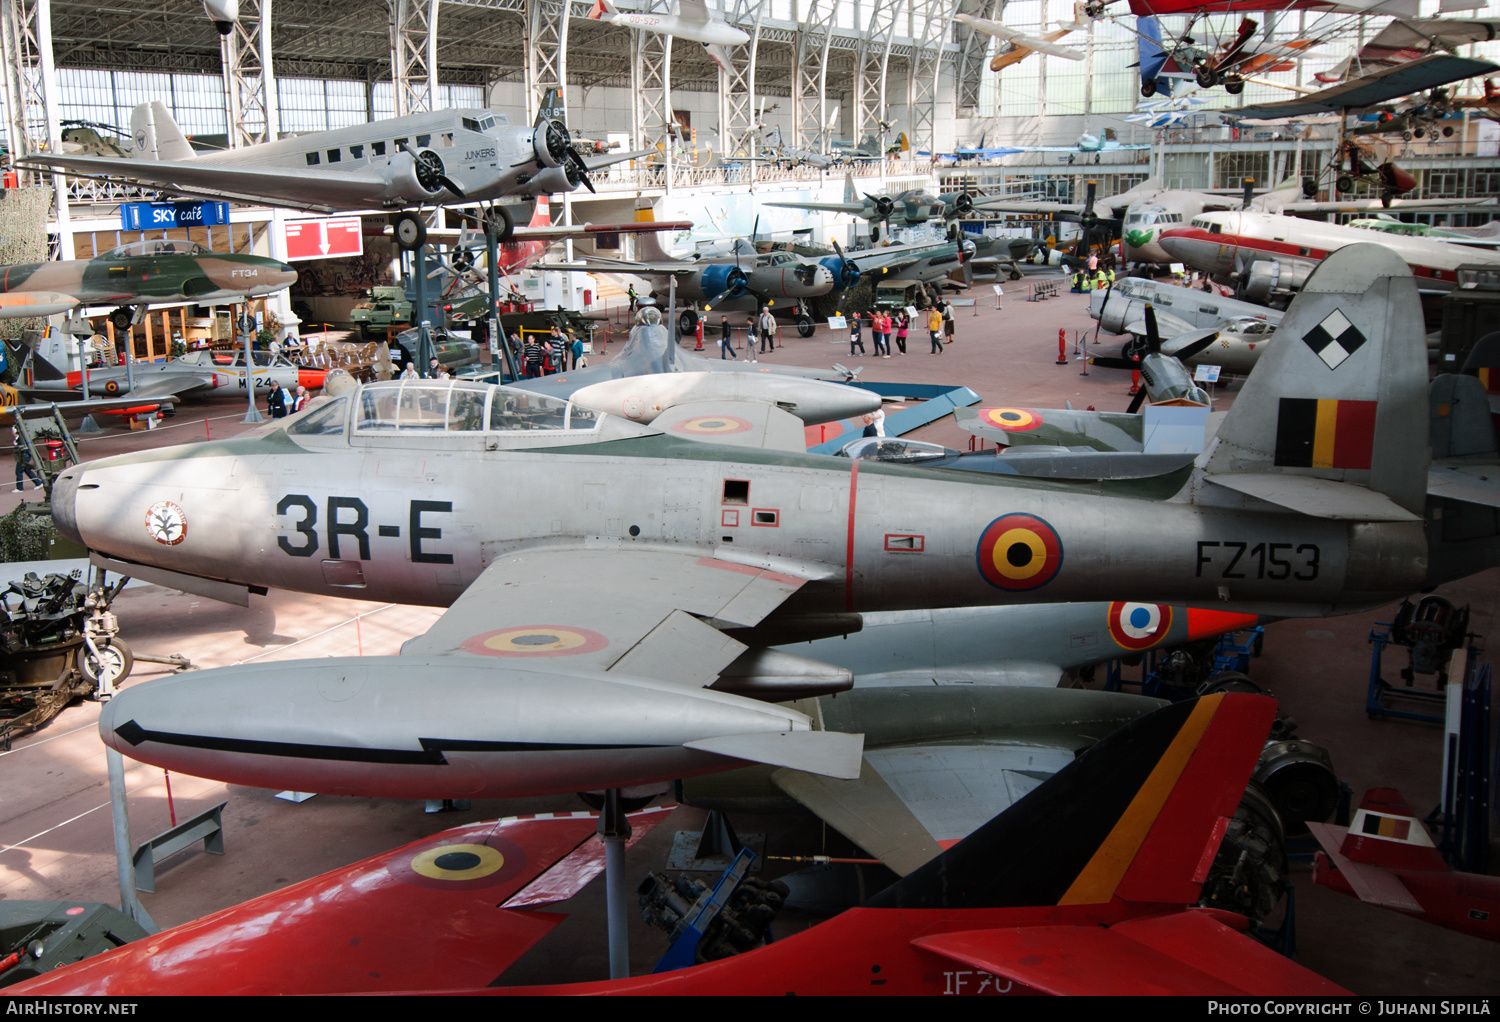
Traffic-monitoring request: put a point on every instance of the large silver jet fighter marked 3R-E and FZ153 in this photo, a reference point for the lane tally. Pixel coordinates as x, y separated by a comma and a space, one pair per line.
589, 546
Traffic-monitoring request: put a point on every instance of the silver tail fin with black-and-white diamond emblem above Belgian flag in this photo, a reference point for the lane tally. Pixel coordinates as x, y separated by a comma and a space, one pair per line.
1342, 398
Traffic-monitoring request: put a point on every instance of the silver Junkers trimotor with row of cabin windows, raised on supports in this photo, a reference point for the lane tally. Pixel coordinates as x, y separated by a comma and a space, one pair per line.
425, 160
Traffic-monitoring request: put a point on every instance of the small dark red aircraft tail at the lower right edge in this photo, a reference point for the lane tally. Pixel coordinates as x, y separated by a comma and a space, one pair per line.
1388, 859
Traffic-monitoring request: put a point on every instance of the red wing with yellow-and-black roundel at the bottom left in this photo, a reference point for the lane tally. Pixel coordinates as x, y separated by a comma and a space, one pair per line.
460, 924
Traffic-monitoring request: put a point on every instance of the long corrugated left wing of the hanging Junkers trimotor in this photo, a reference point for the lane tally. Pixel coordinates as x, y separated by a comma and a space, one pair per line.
308, 188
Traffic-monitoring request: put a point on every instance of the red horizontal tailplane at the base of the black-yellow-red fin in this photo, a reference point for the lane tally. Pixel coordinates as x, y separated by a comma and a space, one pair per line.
1186, 954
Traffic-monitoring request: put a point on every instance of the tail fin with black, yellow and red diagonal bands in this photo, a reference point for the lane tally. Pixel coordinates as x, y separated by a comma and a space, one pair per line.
1138, 817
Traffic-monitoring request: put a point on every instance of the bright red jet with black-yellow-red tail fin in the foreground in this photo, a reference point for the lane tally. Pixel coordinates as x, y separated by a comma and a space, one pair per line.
1081, 888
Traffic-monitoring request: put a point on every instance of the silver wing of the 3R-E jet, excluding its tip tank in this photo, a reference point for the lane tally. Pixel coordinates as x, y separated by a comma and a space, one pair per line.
563, 609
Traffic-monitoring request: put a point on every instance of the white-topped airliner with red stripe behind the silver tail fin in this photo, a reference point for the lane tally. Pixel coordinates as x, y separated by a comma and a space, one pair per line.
1270, 256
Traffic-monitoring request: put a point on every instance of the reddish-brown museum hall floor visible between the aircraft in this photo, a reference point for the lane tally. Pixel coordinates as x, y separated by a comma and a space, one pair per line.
55, 819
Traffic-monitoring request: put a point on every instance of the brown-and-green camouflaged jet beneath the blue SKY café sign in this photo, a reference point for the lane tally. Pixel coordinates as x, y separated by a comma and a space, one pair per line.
137, 277
